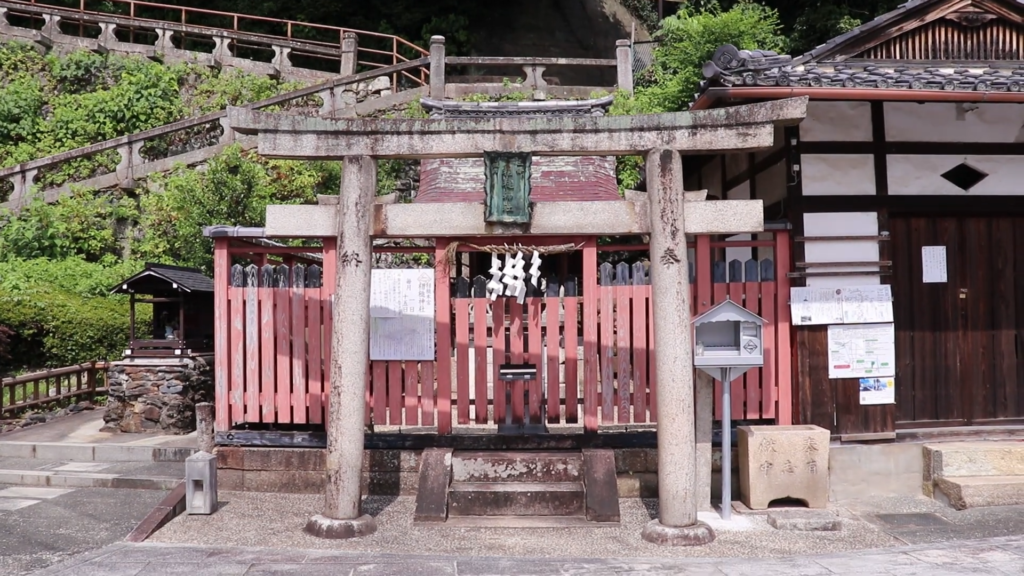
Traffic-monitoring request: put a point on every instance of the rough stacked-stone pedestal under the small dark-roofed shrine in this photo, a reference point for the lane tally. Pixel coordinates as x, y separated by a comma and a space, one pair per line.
157, 394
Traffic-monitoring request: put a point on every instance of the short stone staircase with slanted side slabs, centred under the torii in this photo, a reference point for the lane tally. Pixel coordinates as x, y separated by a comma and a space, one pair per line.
519, 489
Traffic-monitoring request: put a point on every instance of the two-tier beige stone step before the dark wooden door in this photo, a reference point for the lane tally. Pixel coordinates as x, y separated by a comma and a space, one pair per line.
970, 475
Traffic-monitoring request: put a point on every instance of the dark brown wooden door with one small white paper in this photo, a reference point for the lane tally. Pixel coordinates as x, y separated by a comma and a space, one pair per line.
959, 343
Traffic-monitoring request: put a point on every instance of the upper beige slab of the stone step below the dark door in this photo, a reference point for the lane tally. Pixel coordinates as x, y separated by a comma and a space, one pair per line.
959, 460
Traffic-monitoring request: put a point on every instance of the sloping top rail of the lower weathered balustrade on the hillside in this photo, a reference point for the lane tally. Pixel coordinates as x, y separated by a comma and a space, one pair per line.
208, 118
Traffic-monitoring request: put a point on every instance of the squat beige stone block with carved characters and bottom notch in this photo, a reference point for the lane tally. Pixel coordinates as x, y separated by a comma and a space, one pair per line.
784, 463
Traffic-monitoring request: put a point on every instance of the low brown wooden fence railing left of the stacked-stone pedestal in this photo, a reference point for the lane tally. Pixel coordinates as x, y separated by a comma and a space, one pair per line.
40, 389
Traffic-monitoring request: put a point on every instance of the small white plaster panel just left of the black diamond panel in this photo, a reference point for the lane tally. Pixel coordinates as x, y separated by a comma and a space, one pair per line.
838, 175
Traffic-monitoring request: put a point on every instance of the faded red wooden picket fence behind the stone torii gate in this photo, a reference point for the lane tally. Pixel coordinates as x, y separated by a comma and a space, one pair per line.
274, 327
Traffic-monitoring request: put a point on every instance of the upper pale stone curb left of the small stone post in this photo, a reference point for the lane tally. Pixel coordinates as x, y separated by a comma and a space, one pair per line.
75, 452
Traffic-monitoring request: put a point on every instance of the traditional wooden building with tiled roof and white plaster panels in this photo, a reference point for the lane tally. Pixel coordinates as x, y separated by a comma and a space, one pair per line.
912, 149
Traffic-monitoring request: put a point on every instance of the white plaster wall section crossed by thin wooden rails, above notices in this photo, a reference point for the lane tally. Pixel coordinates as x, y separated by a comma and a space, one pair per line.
842, 224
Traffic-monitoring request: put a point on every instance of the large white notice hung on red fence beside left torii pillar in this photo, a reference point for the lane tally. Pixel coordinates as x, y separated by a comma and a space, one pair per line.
402, 315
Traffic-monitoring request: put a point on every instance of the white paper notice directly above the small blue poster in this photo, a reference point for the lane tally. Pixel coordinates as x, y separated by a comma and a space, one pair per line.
860, 351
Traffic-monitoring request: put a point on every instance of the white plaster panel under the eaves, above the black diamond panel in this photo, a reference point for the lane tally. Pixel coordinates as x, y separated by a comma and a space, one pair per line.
955, 122
